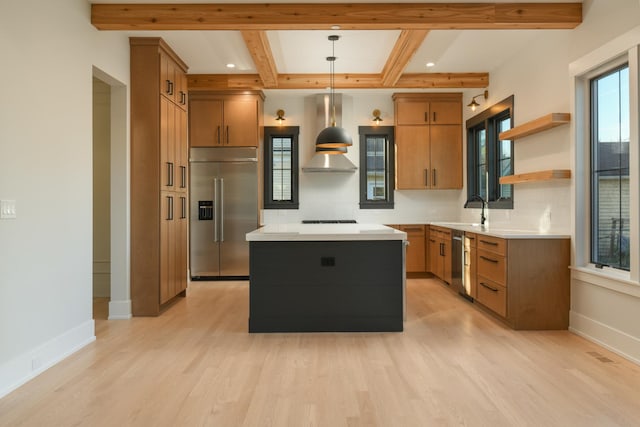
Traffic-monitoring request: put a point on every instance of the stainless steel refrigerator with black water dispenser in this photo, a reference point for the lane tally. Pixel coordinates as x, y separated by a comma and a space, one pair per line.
224, 207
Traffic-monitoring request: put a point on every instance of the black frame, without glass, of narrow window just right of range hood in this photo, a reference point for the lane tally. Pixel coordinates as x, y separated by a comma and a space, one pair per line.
388, 133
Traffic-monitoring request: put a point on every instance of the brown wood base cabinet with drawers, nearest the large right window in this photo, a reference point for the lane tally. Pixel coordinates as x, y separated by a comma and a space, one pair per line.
524, 281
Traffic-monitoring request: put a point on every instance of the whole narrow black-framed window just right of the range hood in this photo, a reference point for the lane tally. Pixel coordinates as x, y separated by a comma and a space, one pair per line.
377, 162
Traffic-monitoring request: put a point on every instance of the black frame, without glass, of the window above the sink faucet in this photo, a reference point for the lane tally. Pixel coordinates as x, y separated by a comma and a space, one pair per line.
489, 121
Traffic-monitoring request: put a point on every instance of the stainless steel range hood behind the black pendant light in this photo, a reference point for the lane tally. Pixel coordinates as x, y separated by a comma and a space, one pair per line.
329, 159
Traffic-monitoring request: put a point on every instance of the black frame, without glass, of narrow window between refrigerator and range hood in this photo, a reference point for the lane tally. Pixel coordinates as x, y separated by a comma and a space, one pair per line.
271, 132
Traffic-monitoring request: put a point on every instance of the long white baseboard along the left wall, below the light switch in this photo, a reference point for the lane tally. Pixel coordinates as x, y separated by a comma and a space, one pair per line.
27, 366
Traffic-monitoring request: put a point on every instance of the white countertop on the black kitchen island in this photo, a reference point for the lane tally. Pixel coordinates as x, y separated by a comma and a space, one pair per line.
325, 232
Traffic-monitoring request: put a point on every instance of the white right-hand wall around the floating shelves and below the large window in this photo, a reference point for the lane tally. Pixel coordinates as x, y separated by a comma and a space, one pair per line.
604, 310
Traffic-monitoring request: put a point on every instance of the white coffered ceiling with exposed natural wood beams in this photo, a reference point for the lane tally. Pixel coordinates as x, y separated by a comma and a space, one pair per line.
284, 45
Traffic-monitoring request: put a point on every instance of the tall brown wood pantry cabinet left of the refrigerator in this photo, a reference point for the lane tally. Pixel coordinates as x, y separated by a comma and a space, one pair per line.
159, 171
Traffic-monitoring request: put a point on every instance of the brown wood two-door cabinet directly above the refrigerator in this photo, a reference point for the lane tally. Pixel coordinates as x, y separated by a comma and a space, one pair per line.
225, 119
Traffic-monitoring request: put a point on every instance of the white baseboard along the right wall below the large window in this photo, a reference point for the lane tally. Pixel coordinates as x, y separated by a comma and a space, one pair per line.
612, 339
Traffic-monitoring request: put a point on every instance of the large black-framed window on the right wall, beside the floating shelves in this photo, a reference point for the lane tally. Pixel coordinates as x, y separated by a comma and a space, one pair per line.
610, 134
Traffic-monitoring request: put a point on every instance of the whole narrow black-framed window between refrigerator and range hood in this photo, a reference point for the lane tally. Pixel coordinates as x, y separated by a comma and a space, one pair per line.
281, 167
